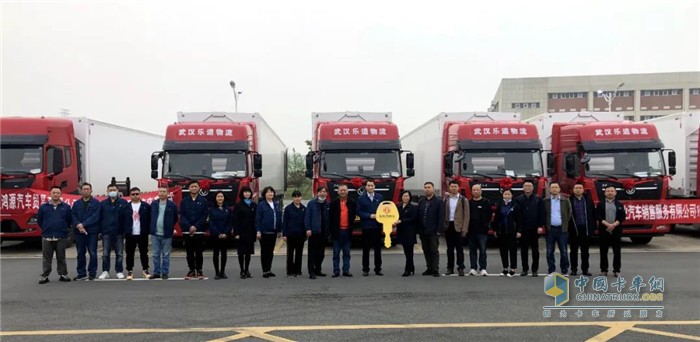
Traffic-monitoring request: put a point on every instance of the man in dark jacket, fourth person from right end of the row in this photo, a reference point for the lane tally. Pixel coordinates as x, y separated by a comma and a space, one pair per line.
532, 220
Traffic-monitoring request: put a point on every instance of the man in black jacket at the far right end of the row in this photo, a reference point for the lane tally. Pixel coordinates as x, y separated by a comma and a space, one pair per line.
611, 213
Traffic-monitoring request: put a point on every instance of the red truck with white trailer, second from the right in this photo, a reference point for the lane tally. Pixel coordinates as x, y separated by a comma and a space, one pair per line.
492, 149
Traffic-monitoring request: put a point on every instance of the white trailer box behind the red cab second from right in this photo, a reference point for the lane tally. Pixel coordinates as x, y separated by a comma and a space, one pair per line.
426, 144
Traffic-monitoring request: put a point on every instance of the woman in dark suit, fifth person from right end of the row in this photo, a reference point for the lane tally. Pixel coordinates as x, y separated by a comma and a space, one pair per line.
507, 233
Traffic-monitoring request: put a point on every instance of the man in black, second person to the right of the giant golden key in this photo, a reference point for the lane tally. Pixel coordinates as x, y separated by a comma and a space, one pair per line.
430, 215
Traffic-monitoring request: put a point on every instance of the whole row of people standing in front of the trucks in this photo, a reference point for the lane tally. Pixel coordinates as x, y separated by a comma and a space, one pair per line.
516, 221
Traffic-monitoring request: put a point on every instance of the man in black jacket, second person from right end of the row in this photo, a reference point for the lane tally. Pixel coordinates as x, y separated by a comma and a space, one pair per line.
581, 228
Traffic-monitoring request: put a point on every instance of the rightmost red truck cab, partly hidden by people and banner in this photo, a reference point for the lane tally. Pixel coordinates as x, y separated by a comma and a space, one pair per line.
626, 155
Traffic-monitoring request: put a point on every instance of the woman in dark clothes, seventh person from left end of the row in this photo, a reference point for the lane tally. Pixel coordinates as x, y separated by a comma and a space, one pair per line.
220, 230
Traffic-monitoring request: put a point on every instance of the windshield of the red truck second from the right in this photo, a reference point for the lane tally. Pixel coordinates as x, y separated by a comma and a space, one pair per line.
514, 163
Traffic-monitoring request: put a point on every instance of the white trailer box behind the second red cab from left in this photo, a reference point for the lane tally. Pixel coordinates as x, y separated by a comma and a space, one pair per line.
269, 145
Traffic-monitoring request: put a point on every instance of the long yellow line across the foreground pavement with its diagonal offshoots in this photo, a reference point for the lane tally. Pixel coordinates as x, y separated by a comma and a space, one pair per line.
614, 329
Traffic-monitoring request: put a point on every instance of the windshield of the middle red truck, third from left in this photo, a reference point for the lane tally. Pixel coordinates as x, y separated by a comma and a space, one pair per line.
350, 164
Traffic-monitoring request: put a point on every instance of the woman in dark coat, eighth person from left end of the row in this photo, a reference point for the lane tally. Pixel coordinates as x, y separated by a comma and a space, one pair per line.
244, 229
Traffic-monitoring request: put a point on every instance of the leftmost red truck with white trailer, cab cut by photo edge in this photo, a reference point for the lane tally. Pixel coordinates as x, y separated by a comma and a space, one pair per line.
41, 152
